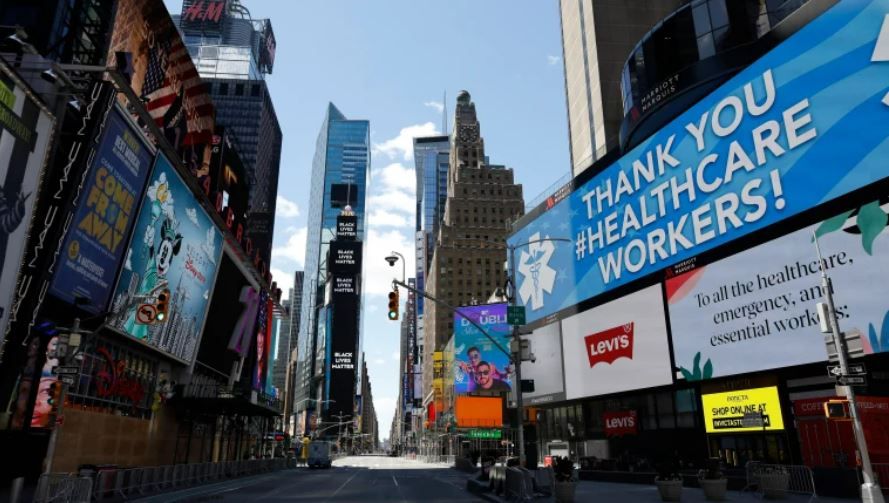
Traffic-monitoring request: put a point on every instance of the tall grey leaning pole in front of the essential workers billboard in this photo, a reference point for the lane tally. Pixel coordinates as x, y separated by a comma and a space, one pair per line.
870, 489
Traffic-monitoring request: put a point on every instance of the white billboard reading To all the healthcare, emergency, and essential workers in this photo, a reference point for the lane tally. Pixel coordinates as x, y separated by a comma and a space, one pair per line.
756, 310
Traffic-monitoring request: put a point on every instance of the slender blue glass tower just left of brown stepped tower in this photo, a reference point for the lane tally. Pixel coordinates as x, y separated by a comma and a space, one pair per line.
431, 168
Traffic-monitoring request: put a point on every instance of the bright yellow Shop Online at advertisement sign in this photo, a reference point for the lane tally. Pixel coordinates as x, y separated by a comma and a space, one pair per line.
746, 410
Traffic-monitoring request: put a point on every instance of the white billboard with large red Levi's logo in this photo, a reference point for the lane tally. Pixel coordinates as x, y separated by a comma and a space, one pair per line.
618, 346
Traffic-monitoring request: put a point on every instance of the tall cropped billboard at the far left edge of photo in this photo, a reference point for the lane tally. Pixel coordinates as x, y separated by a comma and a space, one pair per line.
25, 129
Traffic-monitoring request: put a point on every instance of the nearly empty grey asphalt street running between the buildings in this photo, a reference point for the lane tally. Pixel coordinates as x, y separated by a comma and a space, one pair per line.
359, 478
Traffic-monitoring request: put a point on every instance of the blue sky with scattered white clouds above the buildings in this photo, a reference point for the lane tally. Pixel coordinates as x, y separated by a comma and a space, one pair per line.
391, 62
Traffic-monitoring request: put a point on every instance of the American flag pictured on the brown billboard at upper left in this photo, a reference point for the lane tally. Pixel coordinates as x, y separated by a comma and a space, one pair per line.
174, 91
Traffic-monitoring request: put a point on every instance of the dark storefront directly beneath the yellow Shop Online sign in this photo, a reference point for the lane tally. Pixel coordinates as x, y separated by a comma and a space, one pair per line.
737, 450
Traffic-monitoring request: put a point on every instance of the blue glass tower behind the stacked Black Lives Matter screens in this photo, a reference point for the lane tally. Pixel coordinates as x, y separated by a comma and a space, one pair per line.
339, 178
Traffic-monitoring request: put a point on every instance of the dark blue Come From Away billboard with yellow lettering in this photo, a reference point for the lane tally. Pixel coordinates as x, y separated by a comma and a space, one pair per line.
100, 231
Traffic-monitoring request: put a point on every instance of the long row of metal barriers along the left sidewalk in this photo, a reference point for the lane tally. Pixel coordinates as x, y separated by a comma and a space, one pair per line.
128, 483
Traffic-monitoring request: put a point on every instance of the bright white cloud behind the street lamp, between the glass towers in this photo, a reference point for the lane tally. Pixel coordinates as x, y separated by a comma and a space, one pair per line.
377, 271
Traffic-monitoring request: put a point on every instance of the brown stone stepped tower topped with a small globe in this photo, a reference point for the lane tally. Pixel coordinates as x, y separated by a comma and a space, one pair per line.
470, 249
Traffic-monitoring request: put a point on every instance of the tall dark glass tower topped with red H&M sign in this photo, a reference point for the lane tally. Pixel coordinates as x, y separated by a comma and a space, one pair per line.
233, 53
